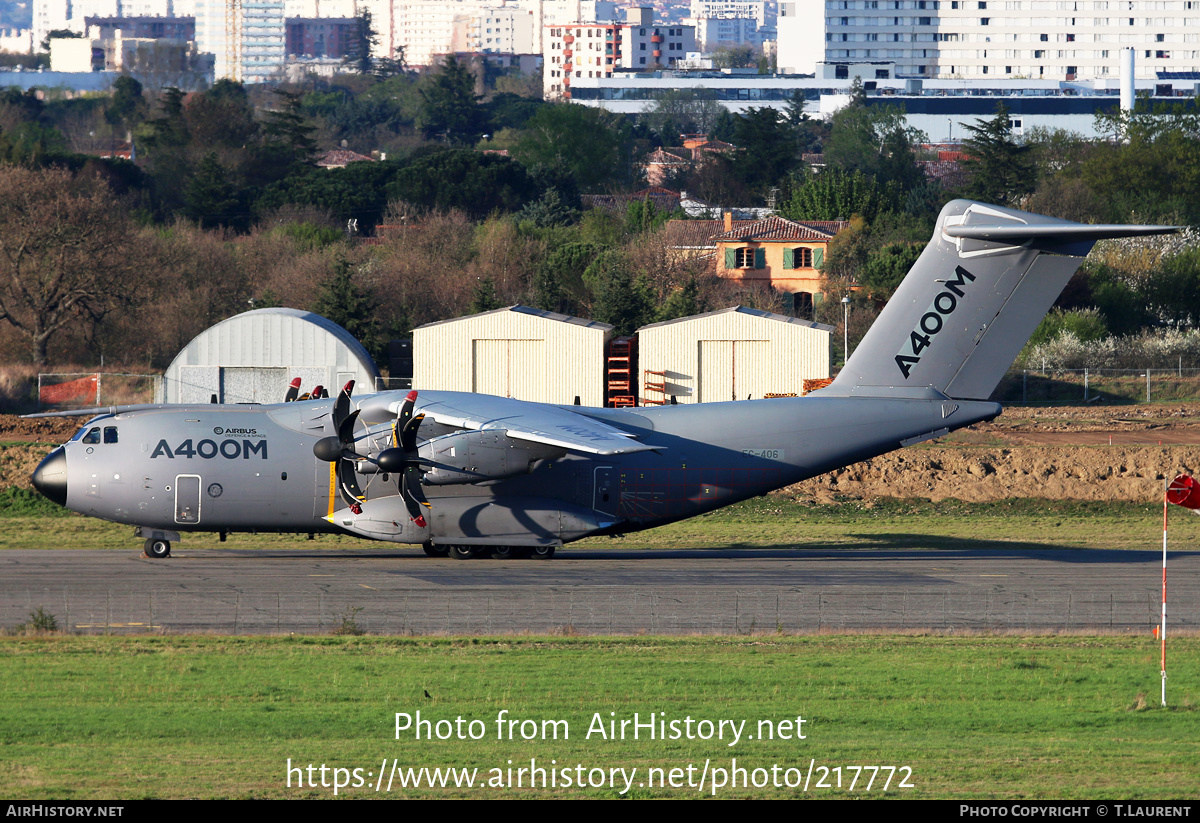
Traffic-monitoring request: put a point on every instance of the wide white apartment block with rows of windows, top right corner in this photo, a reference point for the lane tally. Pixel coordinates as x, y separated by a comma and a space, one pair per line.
1053, 40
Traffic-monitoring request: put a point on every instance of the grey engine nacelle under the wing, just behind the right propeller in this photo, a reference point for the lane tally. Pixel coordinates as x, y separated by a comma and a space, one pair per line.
472, 458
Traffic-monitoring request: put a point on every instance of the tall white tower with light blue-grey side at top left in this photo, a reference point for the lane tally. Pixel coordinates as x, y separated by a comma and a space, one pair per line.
247, 38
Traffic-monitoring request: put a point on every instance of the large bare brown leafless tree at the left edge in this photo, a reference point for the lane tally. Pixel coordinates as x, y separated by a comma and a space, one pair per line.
67, 255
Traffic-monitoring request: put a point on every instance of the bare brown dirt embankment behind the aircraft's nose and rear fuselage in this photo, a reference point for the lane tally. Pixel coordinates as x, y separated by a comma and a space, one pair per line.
1060, 453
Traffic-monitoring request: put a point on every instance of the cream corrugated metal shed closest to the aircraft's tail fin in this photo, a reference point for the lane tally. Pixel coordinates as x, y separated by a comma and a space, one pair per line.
731, 355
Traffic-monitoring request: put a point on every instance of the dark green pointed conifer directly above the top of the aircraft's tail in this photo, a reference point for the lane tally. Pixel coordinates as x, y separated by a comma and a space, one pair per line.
1000, 170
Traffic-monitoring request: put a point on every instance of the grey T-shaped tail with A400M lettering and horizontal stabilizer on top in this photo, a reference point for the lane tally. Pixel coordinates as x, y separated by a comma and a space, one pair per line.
971, 303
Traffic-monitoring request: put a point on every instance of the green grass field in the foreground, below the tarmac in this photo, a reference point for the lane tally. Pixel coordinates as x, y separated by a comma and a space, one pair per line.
971, 717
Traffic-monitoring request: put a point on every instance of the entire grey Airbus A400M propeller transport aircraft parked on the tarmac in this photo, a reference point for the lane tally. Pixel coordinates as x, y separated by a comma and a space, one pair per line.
467, 474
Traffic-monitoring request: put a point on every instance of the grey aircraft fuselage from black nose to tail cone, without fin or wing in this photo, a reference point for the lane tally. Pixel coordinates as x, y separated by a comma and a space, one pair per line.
253, 468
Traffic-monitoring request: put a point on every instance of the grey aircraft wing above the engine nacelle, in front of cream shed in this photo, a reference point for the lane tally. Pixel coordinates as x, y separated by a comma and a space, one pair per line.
536, 423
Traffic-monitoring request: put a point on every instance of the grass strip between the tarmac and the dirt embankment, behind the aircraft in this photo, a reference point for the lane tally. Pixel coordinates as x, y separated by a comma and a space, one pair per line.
33, 522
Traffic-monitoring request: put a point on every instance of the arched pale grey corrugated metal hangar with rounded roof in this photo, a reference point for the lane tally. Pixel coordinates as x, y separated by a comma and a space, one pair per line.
253, 358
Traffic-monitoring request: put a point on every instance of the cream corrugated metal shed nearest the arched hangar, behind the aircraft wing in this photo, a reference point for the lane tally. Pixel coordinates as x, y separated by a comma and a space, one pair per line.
515, 352
